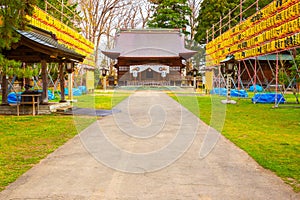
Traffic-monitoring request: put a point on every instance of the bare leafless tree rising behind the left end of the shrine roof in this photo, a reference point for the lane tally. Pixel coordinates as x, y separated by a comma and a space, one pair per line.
101, 19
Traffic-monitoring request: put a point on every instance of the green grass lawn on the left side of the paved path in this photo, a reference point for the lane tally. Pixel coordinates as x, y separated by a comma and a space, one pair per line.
25, 140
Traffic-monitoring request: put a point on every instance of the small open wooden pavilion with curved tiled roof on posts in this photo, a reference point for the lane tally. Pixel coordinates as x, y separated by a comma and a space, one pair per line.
41, 46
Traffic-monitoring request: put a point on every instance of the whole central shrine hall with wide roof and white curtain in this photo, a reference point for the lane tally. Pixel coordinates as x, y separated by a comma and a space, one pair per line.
137, 48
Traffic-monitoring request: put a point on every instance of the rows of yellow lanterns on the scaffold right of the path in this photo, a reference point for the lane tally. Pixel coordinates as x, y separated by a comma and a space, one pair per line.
276, 27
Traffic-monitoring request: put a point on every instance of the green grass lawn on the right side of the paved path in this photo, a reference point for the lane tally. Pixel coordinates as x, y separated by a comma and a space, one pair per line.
270, 136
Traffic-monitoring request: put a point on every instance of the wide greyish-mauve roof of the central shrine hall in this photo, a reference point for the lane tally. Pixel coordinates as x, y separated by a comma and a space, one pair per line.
143, 43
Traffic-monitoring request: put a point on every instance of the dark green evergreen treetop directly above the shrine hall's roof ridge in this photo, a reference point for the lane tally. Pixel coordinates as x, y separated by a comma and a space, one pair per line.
170, 14
